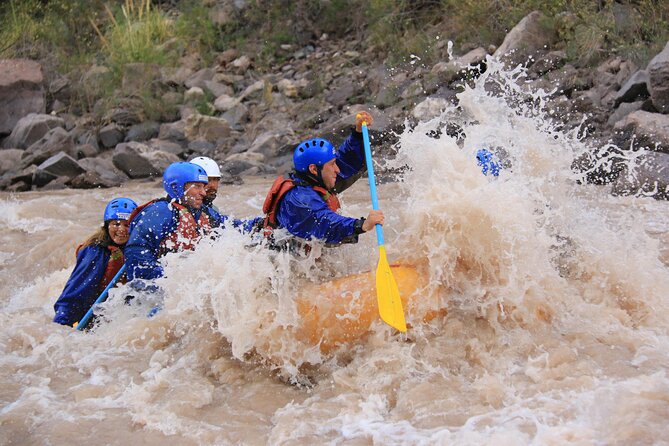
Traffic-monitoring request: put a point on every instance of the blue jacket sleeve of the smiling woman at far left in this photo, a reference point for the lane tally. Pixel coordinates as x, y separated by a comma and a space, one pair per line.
82, 287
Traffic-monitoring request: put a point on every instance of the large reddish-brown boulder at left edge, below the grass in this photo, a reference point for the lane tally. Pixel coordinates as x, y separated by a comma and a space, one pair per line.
21, 91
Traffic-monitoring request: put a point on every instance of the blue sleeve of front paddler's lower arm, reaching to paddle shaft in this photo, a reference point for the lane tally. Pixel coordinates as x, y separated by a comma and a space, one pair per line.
304, 214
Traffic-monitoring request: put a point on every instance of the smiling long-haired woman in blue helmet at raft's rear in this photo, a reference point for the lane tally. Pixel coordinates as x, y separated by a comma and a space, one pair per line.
98, 260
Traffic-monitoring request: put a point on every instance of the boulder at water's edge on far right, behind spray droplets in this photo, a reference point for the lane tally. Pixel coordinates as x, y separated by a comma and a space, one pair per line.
650, 177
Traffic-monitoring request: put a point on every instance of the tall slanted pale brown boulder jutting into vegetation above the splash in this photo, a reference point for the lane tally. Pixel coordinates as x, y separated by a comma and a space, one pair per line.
529, 37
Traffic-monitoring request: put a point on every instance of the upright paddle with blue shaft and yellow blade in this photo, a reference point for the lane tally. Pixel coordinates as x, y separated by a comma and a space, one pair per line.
387, 293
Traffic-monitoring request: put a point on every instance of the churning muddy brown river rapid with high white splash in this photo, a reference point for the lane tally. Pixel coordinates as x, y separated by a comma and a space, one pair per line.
556, 331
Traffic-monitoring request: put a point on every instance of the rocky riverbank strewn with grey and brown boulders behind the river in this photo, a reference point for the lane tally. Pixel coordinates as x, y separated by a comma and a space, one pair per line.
249, 119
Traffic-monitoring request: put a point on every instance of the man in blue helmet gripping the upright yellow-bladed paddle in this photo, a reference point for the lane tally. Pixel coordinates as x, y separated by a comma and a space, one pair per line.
306, 203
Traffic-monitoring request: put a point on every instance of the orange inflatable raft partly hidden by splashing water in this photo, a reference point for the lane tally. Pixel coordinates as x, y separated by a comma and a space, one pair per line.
341, 312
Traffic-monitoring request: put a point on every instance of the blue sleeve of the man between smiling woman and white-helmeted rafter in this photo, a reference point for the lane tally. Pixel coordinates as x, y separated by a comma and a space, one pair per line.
147, 230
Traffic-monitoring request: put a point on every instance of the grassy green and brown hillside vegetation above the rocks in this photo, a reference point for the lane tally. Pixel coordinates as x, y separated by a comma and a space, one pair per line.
69, 35
